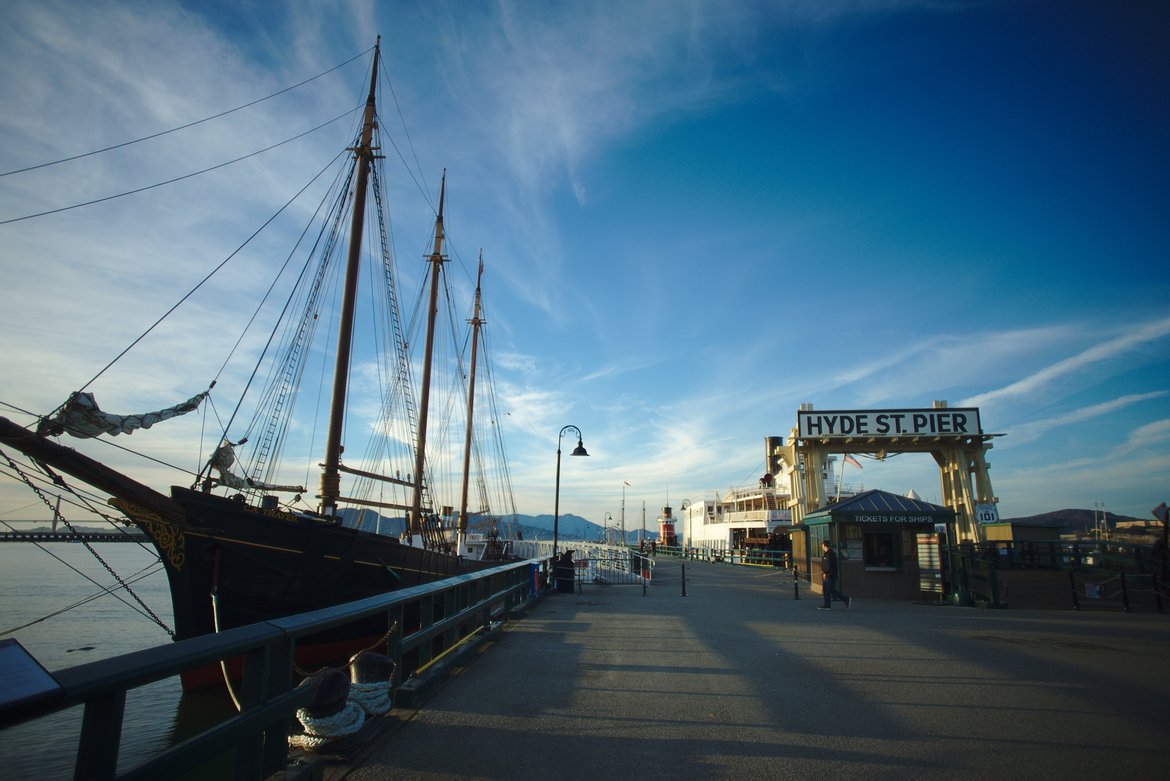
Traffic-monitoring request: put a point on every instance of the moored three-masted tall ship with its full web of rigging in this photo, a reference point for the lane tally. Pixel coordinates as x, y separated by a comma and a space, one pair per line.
244, 540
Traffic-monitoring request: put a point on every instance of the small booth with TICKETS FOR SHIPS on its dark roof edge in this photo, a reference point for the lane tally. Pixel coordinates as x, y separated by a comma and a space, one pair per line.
887, 545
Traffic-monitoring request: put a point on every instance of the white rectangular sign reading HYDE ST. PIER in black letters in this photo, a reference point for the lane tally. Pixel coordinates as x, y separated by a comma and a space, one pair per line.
949, 423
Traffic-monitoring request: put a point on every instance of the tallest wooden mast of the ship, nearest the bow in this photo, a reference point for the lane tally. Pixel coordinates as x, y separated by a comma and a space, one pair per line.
364, 154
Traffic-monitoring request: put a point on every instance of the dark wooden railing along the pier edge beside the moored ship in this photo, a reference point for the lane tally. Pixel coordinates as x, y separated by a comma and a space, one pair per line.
450, 610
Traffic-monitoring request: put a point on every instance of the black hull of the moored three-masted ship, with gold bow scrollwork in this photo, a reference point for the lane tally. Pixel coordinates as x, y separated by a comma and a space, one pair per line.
270, 564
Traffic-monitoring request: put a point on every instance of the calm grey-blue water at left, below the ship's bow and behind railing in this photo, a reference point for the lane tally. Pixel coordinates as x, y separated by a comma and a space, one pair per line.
35, 585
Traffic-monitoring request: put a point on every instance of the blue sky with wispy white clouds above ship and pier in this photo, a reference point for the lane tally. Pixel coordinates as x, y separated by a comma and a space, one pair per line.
696, 217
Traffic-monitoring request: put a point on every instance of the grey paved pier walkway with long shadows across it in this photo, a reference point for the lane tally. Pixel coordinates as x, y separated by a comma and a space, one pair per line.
741, 681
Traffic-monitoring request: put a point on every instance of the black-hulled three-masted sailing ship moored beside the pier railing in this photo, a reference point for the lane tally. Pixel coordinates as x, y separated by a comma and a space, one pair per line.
235, 550
